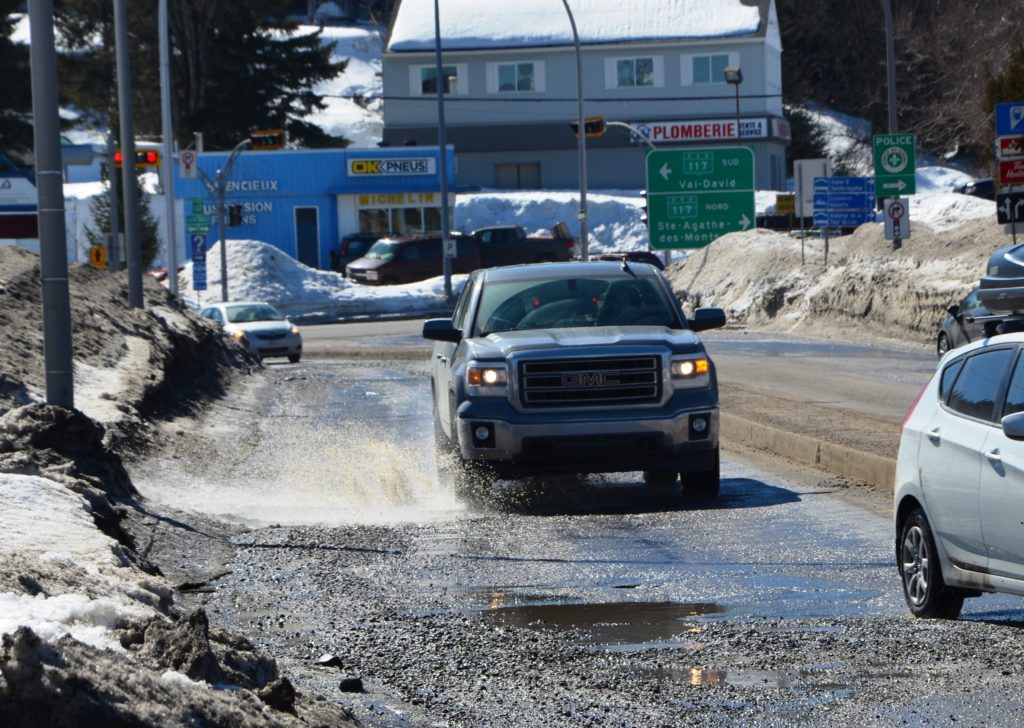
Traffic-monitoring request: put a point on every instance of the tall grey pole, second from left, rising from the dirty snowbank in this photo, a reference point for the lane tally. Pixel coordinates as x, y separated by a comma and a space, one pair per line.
134, 249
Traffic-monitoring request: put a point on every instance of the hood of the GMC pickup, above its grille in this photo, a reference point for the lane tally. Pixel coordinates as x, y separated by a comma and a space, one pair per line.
502, 345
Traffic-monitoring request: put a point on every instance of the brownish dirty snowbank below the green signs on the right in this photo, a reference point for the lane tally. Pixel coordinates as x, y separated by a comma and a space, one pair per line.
782, 282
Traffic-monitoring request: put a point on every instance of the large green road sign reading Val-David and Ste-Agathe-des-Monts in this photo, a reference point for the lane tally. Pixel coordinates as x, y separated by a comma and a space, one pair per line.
698, 196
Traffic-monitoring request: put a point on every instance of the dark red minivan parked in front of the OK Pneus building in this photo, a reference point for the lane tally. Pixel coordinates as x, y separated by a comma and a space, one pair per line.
399, 261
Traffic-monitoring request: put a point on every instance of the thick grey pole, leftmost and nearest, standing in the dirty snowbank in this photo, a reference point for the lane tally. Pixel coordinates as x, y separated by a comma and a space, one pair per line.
50, 182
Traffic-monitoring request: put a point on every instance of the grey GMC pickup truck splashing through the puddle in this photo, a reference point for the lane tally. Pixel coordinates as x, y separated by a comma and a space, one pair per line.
575, 368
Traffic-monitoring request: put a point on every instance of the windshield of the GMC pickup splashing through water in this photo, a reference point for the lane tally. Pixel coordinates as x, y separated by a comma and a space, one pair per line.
523, 306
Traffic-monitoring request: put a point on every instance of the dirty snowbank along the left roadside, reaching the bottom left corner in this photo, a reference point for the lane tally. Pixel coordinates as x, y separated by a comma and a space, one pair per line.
91, 631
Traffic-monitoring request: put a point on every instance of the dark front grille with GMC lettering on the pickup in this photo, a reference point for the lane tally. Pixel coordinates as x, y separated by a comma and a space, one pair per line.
632, 380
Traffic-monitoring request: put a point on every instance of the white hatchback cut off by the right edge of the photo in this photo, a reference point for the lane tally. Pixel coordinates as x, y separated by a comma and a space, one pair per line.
960, 481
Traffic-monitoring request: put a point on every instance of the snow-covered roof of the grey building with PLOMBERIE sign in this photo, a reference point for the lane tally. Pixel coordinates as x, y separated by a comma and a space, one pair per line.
473, 25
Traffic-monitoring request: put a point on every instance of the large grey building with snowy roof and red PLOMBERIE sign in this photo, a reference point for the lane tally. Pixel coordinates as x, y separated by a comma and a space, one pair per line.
510, 83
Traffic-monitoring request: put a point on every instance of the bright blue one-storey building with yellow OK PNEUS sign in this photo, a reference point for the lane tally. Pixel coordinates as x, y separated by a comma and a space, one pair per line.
304, 202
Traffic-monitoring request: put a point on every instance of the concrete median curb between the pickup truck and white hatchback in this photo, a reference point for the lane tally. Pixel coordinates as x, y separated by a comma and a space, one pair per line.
832, 458
